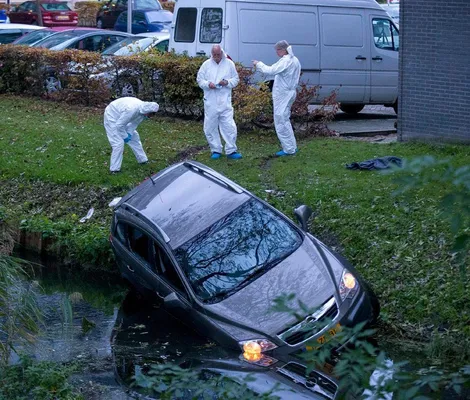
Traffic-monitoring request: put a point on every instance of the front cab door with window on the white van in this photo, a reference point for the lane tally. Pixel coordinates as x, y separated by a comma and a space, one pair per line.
384, 60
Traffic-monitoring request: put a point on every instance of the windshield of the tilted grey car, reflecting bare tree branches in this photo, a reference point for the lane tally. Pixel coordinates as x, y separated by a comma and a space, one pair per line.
235, 250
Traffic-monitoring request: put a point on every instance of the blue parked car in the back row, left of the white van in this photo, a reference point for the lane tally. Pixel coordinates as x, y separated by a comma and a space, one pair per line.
145, 21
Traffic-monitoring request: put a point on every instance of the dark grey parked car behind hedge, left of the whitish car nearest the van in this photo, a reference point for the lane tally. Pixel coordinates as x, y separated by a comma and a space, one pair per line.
88, 39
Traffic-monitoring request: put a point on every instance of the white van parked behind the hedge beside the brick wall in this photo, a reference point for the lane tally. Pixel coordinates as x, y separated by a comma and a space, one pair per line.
349, 45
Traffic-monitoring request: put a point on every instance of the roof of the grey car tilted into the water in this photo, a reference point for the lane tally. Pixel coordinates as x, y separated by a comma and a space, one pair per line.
185, 199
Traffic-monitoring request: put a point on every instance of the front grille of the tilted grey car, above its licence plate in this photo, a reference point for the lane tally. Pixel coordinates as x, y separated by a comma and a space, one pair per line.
311, 325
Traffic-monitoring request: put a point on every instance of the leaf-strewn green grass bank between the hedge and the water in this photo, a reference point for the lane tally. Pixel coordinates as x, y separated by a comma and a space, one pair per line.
400, 244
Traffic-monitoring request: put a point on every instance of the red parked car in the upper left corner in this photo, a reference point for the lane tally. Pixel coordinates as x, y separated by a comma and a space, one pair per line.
54, 13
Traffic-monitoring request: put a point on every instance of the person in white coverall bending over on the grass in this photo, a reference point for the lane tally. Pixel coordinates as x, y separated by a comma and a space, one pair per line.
121, 118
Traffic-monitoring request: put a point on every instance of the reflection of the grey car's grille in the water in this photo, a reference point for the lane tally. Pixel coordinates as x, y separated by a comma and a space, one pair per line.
314, 381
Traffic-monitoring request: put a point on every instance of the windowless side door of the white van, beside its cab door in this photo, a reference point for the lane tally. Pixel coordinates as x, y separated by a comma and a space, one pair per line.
345, 54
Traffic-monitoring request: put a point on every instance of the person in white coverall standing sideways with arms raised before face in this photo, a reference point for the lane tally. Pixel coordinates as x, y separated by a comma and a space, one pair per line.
286, 78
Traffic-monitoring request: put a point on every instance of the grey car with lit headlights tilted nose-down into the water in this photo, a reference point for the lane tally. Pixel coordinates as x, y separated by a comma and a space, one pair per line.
218, 257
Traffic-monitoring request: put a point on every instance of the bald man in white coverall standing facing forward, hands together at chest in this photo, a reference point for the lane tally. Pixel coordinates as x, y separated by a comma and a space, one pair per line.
216, 77
